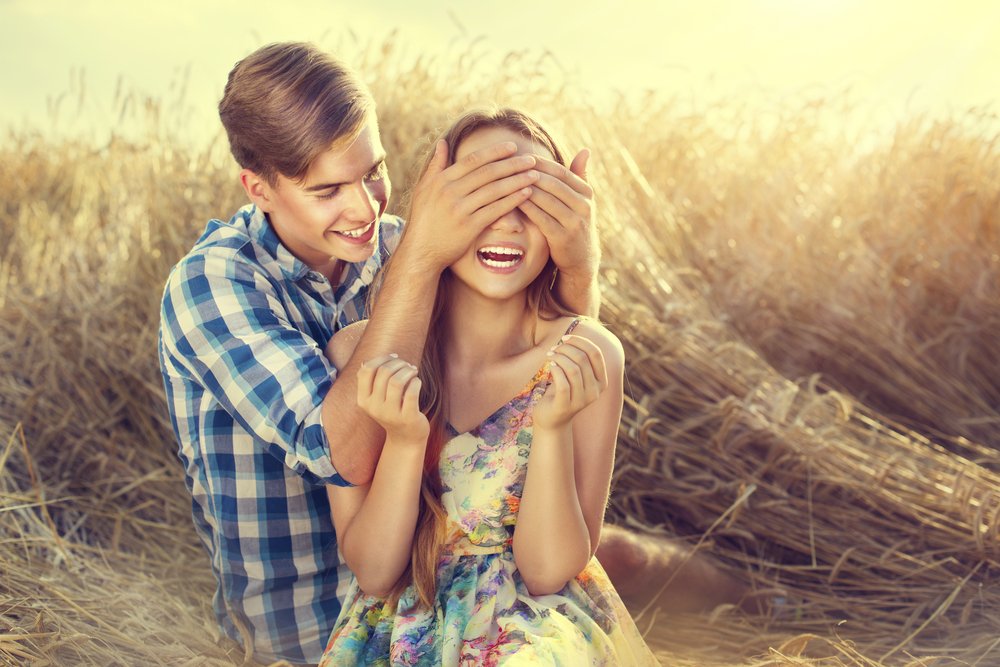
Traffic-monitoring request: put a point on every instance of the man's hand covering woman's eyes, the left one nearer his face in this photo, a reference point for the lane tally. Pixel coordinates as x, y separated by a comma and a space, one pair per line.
453, 204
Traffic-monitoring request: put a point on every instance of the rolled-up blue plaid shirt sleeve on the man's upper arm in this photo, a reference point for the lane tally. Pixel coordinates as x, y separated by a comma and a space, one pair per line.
228, 330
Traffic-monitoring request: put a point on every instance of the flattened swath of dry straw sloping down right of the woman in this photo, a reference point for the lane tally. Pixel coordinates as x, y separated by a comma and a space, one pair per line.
875, 535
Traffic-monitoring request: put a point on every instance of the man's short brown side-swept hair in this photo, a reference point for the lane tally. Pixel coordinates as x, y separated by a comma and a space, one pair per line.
286, 103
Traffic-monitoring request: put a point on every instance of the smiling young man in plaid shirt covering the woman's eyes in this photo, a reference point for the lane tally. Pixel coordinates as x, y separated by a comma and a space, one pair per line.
263, 421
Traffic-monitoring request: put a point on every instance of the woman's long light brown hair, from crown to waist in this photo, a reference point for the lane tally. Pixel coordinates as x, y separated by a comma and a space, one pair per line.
542, 301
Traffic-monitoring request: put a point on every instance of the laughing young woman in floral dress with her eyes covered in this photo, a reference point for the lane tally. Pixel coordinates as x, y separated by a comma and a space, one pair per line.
474, 543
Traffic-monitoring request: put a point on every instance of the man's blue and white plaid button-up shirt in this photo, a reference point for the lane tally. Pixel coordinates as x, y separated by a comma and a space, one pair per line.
243, 328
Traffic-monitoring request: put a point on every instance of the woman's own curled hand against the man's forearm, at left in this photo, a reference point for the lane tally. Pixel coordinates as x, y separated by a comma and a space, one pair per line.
389, 393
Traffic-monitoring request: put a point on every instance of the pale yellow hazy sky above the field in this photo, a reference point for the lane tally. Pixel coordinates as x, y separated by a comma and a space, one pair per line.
899, 56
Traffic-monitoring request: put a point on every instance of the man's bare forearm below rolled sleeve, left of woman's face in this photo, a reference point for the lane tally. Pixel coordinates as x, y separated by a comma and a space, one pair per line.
398, 325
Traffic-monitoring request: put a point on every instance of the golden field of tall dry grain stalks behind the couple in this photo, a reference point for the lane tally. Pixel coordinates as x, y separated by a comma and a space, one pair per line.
811, 313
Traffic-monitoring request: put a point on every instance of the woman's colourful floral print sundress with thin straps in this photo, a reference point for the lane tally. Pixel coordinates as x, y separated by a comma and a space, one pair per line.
484, 614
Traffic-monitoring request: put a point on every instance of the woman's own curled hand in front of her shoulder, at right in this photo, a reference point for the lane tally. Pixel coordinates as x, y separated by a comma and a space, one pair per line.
579, 376
